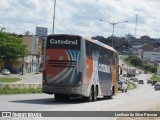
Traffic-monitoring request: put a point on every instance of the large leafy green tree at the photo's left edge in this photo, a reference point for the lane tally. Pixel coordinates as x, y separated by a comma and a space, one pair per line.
11, 48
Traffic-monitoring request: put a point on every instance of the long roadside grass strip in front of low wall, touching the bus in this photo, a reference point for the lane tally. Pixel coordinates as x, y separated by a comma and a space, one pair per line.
8, 90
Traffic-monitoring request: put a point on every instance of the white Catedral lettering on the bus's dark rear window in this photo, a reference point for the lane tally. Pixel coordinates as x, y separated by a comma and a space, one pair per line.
67, 42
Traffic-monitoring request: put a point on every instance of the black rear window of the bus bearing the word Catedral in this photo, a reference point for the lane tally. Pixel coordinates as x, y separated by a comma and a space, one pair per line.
63, 42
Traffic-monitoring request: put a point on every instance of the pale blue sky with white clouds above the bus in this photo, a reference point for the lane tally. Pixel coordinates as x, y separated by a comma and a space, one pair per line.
82, 17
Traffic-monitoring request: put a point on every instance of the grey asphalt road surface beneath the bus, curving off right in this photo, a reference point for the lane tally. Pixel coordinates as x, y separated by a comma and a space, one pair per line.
143, 97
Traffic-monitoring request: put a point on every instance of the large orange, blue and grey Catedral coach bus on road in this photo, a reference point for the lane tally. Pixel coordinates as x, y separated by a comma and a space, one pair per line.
77, 66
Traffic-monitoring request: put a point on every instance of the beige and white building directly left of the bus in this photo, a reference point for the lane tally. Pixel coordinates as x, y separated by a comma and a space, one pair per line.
32, 62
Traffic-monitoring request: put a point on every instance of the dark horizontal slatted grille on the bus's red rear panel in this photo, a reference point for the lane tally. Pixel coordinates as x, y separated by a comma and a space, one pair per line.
62, 63
